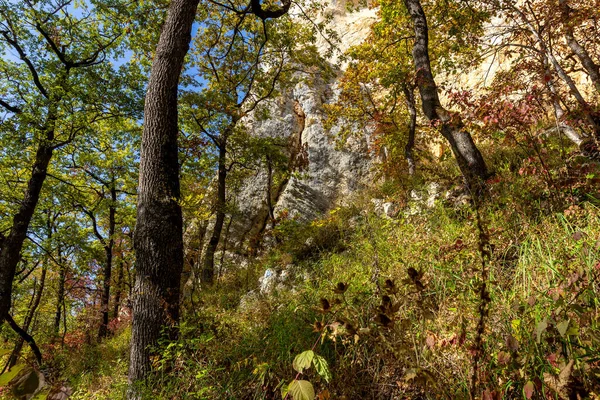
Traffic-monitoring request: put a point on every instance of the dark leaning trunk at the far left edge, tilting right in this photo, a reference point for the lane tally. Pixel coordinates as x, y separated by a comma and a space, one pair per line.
10, 254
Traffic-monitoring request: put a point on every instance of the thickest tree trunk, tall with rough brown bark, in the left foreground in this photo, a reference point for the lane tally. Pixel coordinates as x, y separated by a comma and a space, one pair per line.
158, 236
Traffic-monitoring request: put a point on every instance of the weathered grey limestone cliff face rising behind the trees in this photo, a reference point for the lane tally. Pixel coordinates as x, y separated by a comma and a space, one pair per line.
325, 172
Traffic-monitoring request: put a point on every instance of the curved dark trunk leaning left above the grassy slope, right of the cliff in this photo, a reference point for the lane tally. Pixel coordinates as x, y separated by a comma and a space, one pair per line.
468, 157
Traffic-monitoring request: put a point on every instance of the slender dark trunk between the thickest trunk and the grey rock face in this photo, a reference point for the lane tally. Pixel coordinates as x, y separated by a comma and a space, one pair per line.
208, 269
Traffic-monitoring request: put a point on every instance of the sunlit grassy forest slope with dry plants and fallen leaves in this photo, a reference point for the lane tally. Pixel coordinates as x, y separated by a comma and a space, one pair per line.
379, 307
